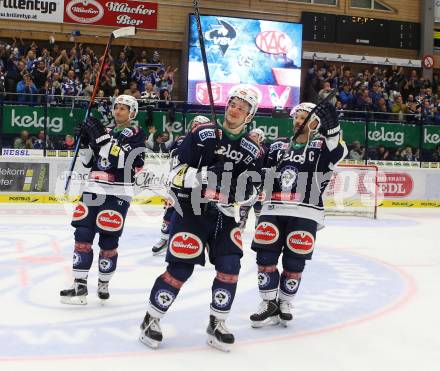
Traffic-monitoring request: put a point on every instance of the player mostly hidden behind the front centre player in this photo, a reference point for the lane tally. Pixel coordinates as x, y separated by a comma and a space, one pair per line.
161, 246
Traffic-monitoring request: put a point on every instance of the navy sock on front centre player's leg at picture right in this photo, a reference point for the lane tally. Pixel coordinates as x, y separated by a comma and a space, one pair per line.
223, 293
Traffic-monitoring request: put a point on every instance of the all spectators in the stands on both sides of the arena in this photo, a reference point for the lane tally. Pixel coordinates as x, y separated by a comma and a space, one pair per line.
30, 73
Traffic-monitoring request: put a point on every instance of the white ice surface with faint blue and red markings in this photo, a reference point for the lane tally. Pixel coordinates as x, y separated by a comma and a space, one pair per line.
369, 300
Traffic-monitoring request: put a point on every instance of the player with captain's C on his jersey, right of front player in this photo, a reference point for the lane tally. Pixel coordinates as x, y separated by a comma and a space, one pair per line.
293, 208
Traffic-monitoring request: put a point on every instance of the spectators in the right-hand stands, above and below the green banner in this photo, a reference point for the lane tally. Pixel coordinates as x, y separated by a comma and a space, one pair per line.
392, 94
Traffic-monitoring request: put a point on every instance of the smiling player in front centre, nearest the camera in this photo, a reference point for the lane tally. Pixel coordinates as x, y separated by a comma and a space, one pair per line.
212, 159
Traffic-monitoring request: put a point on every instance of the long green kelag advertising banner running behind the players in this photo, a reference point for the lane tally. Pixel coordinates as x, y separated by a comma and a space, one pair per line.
61, 121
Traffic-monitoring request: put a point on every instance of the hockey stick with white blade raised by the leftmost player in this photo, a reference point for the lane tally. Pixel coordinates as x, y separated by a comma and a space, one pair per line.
120, 32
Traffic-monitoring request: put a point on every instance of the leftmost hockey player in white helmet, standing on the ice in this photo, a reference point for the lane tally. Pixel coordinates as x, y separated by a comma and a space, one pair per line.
114, 156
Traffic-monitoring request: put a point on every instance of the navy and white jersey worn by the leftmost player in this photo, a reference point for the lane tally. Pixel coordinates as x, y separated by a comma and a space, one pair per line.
108, 163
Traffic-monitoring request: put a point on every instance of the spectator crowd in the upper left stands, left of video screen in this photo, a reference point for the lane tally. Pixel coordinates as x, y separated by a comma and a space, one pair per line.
28, 72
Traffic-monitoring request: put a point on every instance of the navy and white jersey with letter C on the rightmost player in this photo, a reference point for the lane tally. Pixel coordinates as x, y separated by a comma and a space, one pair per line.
302, 174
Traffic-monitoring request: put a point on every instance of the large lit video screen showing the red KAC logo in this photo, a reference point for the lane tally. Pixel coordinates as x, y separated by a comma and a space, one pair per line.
265, 55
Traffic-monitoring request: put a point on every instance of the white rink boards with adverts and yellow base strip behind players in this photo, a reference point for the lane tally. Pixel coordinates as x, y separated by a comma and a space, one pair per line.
41, 180
